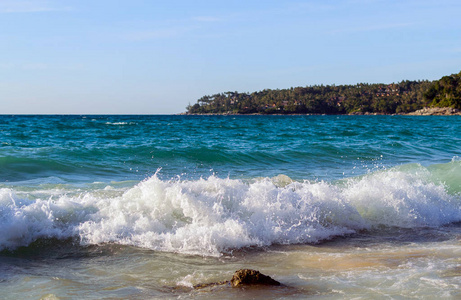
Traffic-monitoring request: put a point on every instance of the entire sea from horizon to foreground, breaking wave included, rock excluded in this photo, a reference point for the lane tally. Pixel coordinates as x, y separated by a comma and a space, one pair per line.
147, 207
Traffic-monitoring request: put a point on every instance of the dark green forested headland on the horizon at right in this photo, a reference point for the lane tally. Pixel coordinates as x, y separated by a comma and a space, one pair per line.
362, 98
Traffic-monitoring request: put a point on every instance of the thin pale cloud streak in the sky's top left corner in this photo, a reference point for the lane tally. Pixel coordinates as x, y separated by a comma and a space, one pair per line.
31, 6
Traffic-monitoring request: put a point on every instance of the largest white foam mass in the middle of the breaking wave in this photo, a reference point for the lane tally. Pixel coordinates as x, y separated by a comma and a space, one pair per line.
217, 215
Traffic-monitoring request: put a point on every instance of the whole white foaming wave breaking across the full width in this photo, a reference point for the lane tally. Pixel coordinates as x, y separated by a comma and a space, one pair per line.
213, 216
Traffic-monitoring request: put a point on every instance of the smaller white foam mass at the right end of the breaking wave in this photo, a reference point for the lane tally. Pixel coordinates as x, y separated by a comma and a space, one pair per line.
406, 196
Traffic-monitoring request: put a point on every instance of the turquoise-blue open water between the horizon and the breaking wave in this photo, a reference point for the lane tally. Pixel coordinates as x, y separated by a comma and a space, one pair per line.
103, 148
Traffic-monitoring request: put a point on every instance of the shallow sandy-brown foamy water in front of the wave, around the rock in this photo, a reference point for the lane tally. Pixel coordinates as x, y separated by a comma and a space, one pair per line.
406, 264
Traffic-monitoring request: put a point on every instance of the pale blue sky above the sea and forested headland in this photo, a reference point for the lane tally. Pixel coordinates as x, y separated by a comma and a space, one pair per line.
156, 57
